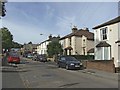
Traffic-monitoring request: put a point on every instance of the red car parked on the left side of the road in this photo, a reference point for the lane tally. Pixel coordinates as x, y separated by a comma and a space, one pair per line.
13, 58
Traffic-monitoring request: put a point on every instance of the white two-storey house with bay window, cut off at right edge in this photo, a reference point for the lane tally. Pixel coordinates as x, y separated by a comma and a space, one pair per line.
107, 41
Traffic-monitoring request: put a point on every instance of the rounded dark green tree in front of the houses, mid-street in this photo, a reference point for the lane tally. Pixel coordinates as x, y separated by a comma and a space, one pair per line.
54, 48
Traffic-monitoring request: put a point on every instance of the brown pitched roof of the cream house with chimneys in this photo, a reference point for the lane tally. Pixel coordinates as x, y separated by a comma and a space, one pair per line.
80, 33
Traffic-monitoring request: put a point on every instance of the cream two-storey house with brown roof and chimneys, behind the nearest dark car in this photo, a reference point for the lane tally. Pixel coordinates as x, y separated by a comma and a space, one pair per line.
79, 42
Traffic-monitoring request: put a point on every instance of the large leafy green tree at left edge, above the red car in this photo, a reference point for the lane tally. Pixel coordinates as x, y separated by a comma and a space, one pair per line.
7, 38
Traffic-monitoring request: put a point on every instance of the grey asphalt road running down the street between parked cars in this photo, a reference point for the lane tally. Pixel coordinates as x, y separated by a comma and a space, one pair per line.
32, 74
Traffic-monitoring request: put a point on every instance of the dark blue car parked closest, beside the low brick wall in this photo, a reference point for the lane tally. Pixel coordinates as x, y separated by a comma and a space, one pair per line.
69, 62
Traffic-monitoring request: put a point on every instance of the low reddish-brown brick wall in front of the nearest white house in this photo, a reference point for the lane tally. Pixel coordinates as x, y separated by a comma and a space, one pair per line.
103, 65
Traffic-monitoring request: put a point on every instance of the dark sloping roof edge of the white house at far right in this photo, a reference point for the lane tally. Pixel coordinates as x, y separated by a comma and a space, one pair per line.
115, 20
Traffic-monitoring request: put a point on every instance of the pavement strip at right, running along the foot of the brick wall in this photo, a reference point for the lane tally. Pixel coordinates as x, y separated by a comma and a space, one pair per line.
103, 74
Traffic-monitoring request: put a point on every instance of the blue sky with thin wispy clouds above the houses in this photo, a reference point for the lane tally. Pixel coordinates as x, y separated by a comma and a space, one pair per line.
27, 20
